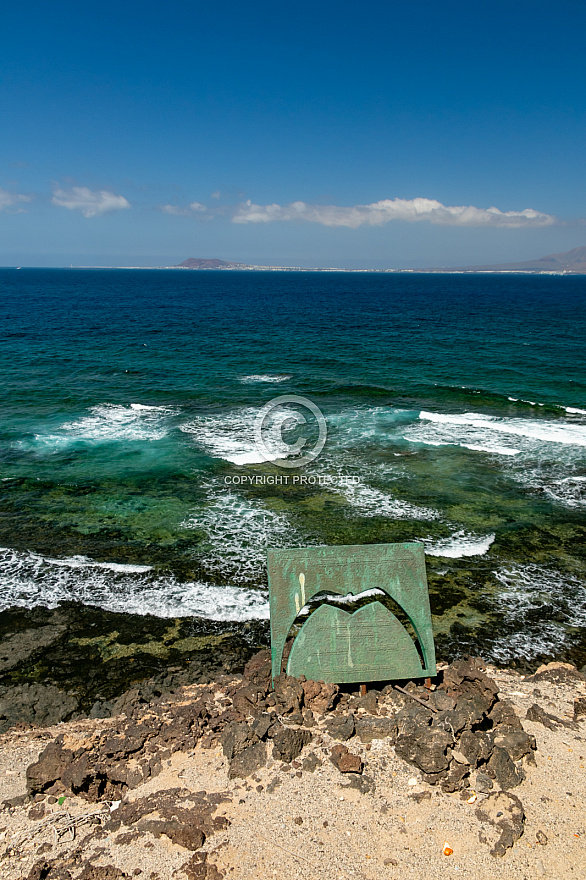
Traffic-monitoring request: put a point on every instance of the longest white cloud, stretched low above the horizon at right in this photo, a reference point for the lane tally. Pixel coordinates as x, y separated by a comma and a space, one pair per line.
379, 213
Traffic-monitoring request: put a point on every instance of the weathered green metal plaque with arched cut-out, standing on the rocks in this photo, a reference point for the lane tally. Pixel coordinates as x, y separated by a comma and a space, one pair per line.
335, 645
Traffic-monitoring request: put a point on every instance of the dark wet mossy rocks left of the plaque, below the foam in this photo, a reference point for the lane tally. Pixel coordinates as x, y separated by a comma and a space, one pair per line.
78, 661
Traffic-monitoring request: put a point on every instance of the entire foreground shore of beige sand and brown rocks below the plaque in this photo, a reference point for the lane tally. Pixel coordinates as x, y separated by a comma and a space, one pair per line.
189, 784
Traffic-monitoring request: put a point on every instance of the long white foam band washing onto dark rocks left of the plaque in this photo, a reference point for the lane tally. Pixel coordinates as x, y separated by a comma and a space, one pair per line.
29, 579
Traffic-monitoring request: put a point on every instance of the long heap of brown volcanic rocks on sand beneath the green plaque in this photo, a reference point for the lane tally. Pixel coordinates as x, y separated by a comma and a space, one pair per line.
447, 733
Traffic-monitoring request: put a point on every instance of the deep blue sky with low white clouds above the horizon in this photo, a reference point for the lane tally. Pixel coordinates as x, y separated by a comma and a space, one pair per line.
372, 135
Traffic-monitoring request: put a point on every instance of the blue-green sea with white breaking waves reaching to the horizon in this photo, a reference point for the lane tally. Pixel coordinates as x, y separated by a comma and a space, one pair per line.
455, 407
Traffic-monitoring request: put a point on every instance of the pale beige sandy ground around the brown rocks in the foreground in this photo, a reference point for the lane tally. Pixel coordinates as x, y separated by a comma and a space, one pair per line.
309, 825
